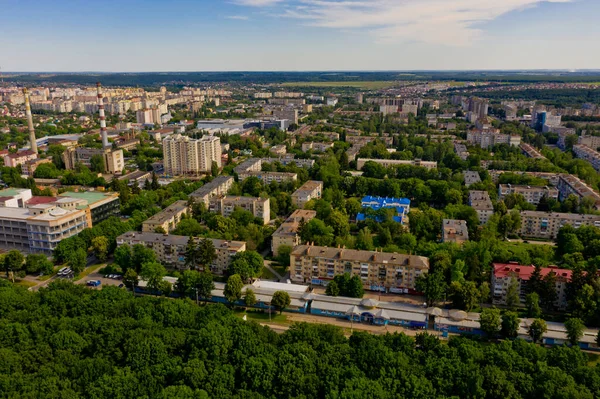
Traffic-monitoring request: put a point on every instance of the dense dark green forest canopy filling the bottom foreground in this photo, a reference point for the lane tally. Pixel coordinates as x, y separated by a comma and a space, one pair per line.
67, 341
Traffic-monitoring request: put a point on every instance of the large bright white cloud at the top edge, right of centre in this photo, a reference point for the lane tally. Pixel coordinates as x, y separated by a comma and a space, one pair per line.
448, 22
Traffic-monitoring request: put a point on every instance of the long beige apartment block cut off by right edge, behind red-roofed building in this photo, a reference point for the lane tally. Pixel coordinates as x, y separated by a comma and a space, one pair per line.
536, 224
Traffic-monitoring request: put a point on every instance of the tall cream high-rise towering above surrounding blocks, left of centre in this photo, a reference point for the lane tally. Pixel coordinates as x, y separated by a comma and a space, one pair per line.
183, 155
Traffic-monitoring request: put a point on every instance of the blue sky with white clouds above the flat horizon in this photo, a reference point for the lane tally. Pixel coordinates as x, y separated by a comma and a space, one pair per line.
297, 35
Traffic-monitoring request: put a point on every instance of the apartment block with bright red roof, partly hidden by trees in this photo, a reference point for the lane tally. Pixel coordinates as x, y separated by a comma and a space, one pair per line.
503, 274
